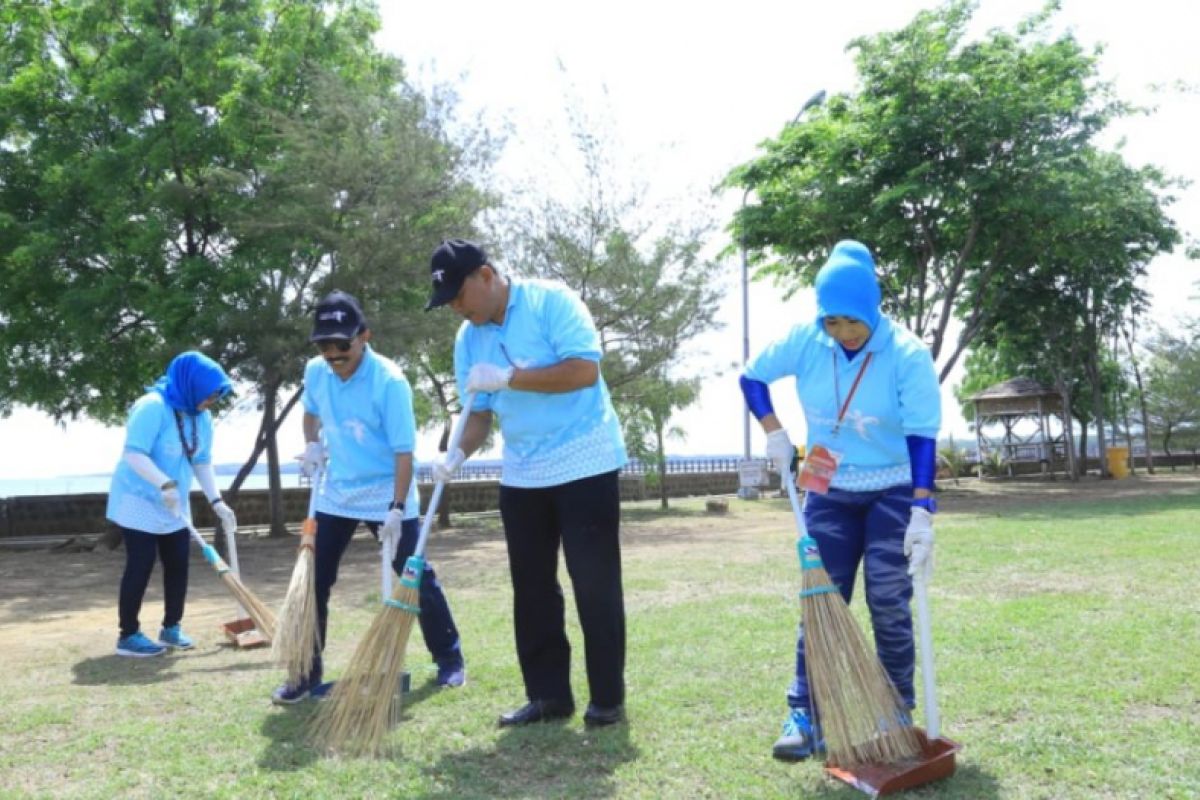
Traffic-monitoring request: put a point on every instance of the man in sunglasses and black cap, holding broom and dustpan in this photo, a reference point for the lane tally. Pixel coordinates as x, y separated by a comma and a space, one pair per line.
361, 431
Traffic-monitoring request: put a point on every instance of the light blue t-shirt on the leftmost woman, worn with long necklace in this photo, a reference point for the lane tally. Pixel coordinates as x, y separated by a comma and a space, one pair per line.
152, 430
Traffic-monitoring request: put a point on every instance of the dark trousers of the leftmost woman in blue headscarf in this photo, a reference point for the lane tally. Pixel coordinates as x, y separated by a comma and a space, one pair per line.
141, 551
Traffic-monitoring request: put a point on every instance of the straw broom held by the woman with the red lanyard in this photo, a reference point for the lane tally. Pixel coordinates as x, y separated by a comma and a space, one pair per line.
857, 707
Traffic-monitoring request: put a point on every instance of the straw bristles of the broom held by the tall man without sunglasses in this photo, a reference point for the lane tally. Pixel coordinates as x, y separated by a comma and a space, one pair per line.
365, 701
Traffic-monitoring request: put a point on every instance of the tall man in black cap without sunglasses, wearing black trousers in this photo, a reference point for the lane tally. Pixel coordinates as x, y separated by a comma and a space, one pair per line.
530, 353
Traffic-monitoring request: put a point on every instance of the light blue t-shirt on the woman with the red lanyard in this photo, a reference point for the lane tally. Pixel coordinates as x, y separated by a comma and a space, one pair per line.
898, 396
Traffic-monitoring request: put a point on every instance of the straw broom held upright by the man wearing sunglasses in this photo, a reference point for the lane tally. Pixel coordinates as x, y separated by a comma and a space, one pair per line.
297, 635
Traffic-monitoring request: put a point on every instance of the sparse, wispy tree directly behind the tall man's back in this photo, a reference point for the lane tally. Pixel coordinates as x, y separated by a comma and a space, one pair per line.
647, 285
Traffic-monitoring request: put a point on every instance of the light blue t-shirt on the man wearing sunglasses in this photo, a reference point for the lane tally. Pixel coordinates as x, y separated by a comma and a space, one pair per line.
364, 423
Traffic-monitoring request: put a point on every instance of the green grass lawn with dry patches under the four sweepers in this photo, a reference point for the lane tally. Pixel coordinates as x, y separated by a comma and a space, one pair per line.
1066, 631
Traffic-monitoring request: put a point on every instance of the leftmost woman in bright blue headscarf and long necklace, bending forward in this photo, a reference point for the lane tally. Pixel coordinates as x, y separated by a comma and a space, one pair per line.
169, 440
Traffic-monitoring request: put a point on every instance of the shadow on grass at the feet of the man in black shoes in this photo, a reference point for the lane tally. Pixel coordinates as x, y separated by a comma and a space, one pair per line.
542, 761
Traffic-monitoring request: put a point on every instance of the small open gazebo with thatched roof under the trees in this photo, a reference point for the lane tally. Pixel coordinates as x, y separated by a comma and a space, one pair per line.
1015, 419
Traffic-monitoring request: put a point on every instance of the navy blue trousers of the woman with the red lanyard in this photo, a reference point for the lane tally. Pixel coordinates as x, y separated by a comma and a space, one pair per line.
868, 528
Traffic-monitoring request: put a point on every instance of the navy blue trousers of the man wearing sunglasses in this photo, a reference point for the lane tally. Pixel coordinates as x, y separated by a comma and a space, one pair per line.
334, 537
